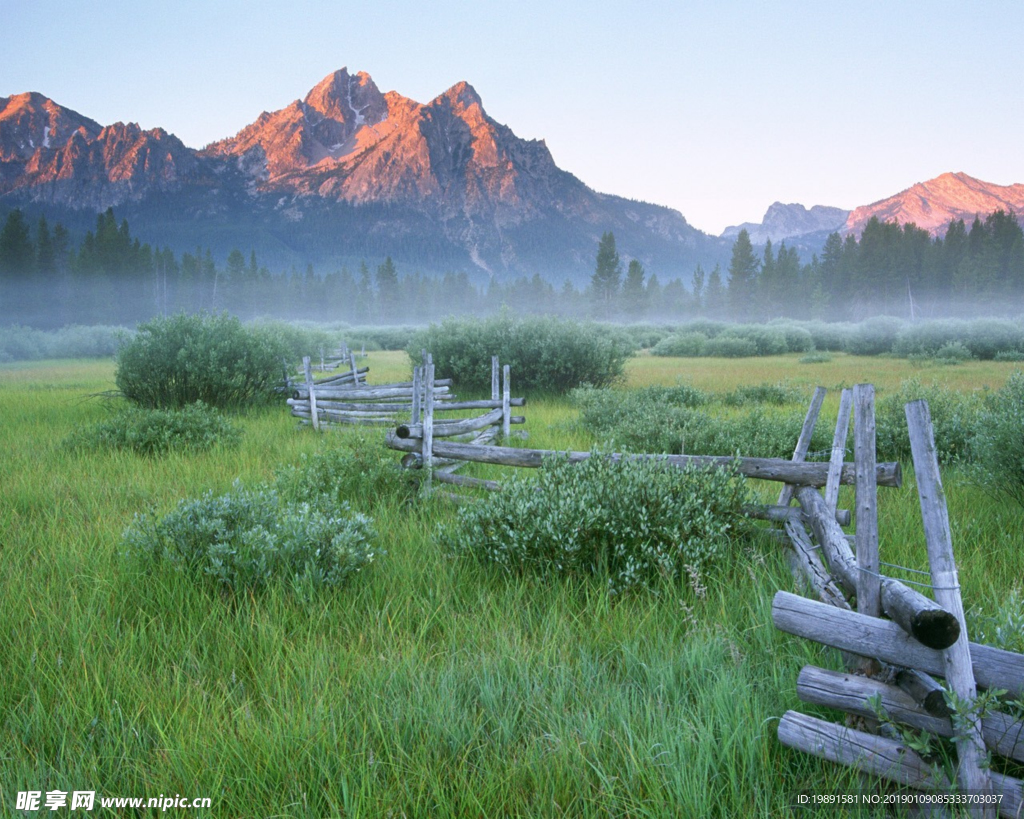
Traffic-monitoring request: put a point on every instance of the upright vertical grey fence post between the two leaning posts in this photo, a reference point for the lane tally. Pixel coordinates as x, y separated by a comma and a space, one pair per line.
869, 580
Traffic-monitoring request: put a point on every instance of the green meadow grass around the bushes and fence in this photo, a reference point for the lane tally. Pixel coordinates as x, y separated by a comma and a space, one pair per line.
429, 686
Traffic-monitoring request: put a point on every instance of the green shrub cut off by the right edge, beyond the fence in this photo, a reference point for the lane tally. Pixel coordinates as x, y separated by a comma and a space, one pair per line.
1000, 442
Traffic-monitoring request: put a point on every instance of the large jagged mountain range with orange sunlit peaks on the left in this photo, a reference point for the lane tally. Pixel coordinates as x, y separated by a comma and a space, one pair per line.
348, 173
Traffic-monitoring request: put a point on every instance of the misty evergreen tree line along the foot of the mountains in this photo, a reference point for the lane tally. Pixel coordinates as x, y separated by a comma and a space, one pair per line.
111, 278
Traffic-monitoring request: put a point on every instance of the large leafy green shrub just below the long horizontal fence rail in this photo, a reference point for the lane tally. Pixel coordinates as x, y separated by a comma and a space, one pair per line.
632, 523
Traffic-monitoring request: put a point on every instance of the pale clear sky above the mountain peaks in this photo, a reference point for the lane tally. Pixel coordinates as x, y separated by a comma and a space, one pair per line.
717, 109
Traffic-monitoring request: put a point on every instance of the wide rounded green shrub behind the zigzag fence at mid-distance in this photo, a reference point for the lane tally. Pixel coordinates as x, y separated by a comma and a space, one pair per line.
544, 354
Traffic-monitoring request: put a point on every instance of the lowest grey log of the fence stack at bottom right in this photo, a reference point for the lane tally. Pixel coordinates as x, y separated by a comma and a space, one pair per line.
885, 758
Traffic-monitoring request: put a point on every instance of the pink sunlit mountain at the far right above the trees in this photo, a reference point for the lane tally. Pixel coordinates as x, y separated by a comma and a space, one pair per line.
934, 204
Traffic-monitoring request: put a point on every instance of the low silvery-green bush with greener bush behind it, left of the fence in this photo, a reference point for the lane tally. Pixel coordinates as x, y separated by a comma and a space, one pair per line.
305, 532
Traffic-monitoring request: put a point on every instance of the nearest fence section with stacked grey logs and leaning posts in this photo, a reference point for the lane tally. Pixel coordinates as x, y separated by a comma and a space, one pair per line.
890, 662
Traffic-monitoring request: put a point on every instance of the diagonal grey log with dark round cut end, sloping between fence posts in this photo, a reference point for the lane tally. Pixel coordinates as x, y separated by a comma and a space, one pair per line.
917, 615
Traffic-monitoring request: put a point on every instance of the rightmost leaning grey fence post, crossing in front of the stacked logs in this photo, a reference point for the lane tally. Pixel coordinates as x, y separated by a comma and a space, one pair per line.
972, 774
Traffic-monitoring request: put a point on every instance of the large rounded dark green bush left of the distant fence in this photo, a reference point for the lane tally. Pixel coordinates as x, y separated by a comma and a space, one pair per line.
178, 361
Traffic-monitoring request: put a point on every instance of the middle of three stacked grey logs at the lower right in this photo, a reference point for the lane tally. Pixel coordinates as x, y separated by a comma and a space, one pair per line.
850, 693
